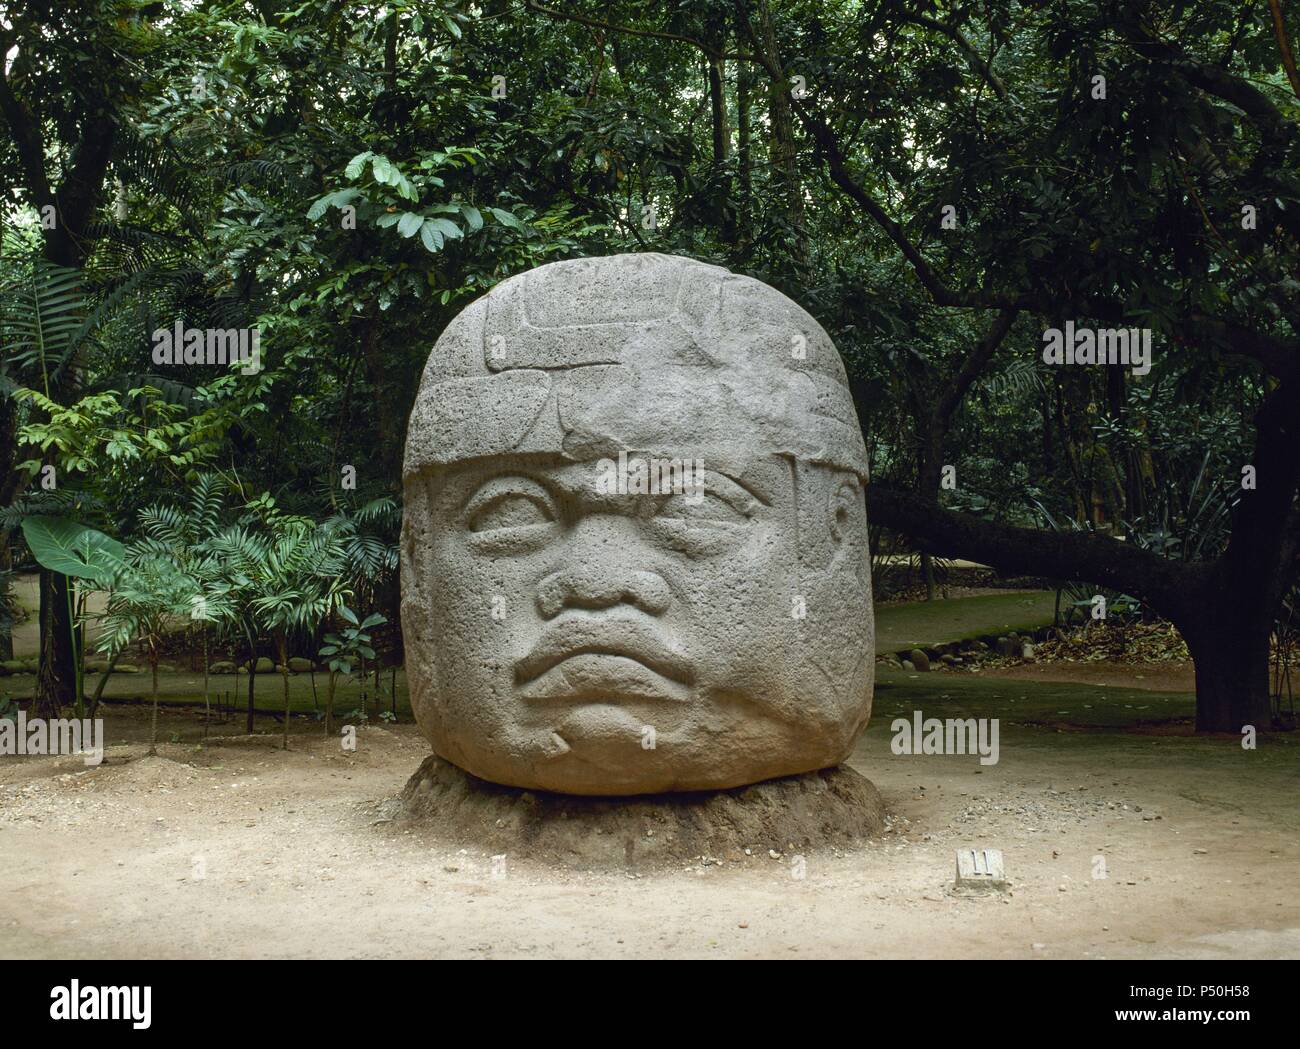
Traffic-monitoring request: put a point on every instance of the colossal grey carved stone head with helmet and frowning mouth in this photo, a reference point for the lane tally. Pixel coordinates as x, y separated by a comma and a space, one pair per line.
635, 547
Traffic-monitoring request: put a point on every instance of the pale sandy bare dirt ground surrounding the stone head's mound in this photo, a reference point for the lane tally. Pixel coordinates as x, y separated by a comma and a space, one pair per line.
240, 851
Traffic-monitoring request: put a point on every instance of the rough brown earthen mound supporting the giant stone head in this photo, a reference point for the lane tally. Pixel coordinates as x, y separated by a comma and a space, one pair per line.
835, 808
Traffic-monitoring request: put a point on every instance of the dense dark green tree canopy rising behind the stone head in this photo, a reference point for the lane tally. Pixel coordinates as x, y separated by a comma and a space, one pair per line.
939, 184
